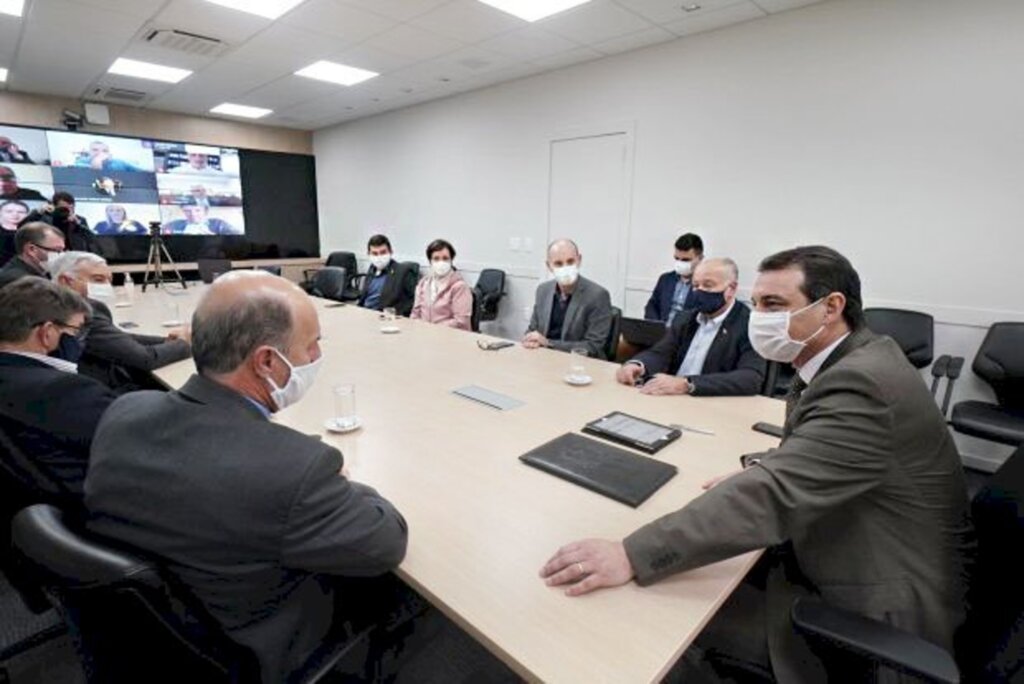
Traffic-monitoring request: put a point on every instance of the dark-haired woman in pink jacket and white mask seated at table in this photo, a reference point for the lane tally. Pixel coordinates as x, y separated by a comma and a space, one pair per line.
444, 297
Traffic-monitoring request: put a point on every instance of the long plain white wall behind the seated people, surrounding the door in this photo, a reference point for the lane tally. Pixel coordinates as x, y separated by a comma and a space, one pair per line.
890, 131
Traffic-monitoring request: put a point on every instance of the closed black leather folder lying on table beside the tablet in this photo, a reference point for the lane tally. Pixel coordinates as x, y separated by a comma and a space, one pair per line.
629, 479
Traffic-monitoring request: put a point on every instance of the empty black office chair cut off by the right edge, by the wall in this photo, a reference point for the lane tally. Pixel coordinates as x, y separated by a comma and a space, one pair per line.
1000, 363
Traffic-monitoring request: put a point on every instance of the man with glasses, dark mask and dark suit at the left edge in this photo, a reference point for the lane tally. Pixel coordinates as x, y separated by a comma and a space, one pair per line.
49, 412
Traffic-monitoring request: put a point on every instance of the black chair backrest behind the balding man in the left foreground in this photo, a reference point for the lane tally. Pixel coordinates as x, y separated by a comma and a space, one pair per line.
130, 625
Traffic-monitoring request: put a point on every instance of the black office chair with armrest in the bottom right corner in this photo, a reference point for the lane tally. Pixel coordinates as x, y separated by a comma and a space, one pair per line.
991, 645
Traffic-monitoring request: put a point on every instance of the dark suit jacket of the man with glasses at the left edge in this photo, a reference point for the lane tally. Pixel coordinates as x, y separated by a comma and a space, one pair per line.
52, 416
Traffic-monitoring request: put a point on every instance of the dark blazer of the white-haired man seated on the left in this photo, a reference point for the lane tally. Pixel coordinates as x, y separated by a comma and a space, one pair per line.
121, 360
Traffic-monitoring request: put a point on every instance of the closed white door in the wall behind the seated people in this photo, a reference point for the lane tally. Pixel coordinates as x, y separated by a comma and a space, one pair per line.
588, 203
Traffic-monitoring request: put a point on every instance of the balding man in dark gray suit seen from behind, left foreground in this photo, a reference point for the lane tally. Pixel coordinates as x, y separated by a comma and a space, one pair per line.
255, 519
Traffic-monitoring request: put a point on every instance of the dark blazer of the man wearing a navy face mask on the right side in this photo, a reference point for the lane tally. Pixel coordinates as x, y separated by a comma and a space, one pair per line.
732, 368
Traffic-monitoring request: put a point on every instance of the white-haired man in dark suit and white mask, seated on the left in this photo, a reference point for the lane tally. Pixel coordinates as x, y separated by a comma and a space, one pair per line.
120, 360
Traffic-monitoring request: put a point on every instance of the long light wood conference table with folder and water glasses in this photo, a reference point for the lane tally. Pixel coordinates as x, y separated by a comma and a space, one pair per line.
482, 524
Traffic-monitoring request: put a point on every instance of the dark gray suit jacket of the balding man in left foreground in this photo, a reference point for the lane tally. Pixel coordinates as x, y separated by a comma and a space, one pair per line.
246, 514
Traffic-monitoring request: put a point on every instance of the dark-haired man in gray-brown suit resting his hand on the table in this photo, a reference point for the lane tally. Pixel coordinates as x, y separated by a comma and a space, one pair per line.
865, 498
